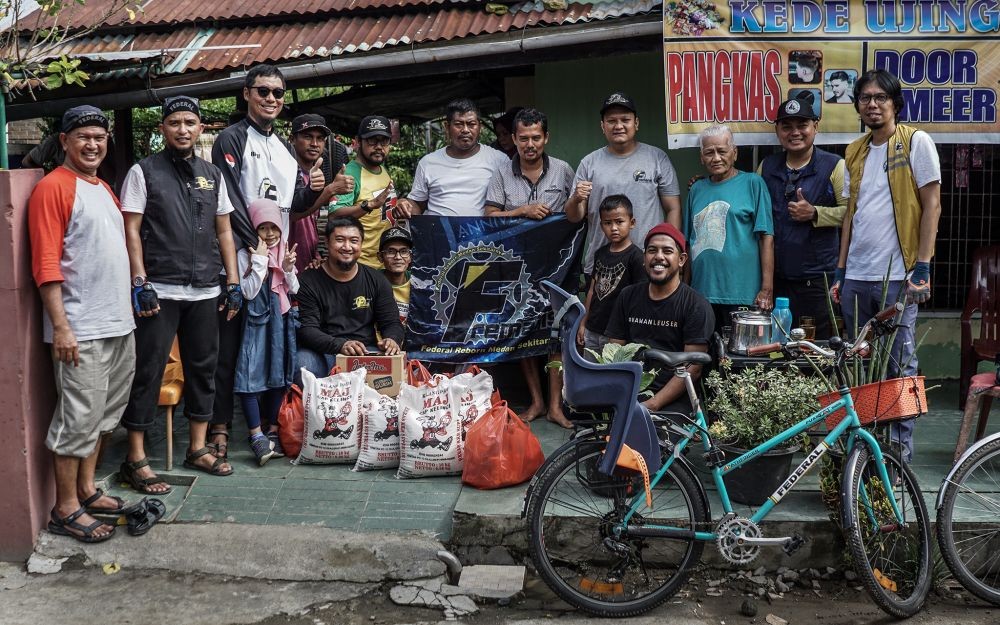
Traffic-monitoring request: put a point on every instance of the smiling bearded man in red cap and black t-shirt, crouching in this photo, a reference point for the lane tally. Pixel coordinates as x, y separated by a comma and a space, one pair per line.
665, 314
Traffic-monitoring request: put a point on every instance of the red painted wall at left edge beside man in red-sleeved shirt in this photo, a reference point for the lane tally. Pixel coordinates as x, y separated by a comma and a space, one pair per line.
27, 490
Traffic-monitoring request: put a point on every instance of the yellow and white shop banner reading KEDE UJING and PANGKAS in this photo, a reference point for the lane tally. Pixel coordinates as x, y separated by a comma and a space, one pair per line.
734, 62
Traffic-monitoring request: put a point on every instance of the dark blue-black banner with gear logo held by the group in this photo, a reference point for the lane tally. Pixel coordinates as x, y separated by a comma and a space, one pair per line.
475, 293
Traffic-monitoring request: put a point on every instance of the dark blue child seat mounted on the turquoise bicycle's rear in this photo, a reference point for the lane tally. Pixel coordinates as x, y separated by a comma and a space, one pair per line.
614, 386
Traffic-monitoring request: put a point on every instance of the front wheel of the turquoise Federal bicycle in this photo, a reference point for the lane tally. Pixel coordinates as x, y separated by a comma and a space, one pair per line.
893, 565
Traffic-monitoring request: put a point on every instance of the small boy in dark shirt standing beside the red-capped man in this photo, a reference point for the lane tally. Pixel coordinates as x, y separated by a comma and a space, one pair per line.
617, 265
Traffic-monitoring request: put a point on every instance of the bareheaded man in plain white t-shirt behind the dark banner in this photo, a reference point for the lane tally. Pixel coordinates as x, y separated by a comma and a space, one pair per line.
452, 181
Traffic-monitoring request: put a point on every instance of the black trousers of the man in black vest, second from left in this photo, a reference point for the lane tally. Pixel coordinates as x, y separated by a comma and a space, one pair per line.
196, 327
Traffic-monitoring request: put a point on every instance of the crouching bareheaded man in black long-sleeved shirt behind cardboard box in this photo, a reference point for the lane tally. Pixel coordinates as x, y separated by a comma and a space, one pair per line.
342, 302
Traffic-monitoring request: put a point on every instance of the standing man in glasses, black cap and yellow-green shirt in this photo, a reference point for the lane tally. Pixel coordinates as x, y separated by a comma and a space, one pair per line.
373, 197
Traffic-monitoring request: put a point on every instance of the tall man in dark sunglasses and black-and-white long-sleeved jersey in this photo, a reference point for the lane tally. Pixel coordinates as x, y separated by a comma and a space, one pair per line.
255, 163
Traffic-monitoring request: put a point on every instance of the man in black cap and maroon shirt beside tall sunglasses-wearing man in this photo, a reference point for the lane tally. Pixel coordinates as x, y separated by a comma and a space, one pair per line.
312, 141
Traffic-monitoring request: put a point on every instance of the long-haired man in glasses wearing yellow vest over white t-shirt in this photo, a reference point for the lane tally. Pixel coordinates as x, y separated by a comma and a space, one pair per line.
893, 184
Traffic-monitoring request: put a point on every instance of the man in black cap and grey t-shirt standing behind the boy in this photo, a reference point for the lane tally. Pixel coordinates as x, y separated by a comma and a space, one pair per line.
625, 166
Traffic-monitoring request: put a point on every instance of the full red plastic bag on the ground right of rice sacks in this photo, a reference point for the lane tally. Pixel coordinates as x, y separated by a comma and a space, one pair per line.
500, 450
